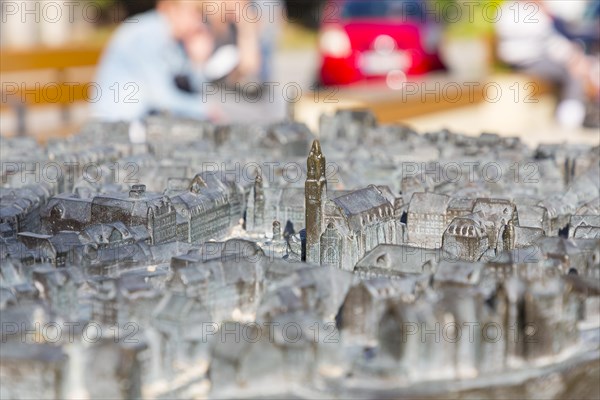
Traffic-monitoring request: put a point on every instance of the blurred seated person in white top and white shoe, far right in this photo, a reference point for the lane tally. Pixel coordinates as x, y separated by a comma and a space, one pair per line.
529, 41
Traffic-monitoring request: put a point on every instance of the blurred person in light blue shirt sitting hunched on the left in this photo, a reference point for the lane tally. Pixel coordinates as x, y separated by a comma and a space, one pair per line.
154, 63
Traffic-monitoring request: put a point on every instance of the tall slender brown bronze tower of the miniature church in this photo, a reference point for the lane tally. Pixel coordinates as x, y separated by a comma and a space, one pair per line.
315, 196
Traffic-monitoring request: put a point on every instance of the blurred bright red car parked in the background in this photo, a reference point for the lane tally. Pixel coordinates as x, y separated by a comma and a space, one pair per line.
373, 39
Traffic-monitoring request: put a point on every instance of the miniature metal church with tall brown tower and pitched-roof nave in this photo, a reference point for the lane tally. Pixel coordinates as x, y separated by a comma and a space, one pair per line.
340, 231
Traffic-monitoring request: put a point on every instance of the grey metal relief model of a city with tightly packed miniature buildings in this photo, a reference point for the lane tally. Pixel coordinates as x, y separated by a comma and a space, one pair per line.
252, 261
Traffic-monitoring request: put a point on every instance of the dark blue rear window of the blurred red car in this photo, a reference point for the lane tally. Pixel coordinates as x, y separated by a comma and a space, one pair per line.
410, 9
